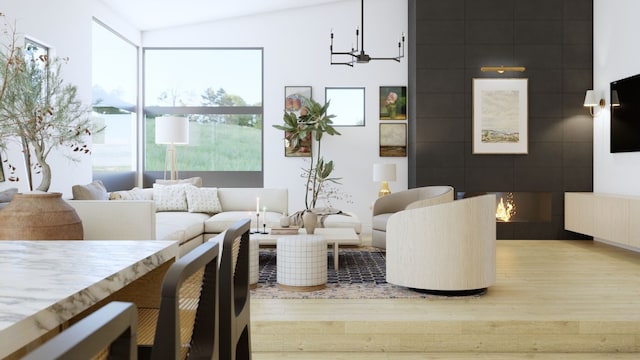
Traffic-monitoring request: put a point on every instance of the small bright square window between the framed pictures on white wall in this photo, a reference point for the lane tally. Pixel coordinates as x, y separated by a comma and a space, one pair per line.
347, 104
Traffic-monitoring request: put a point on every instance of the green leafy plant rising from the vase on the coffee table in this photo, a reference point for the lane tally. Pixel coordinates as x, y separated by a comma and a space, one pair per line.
315, 122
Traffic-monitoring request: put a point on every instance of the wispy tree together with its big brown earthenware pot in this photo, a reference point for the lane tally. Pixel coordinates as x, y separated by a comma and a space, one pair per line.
39, 112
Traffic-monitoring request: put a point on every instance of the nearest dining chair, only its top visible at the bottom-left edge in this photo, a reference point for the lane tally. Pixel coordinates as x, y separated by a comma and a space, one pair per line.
108, 332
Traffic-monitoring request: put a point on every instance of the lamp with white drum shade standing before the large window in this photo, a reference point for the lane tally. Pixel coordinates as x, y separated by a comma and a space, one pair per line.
171, 130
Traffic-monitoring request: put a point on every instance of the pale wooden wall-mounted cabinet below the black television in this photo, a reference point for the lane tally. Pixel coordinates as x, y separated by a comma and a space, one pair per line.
614, 219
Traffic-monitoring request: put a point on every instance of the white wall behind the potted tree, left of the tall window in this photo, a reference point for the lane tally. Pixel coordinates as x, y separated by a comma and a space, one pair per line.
64, 25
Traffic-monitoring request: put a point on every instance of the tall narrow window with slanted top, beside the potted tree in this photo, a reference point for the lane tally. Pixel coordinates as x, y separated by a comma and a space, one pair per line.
115, 79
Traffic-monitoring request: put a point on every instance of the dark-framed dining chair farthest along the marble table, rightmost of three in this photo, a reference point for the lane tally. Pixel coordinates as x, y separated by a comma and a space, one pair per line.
235, 329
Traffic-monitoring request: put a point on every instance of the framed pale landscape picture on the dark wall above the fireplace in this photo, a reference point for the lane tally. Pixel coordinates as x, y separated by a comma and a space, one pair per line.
500, 116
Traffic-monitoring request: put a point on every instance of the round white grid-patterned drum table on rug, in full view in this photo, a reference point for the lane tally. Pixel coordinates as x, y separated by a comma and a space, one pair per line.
301, 262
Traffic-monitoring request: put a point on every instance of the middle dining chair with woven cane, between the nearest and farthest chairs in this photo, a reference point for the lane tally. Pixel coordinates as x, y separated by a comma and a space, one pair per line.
186, 324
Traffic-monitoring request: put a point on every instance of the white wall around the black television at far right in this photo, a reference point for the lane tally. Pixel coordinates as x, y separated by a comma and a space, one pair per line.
616, 56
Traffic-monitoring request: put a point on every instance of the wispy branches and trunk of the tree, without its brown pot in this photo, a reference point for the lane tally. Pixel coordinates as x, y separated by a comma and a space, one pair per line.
38, 110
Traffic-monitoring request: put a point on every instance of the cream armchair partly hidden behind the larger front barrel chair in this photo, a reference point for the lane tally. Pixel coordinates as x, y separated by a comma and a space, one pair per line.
387, 205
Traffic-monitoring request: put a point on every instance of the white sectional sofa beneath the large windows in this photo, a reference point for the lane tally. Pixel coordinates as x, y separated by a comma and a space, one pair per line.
143, 220
